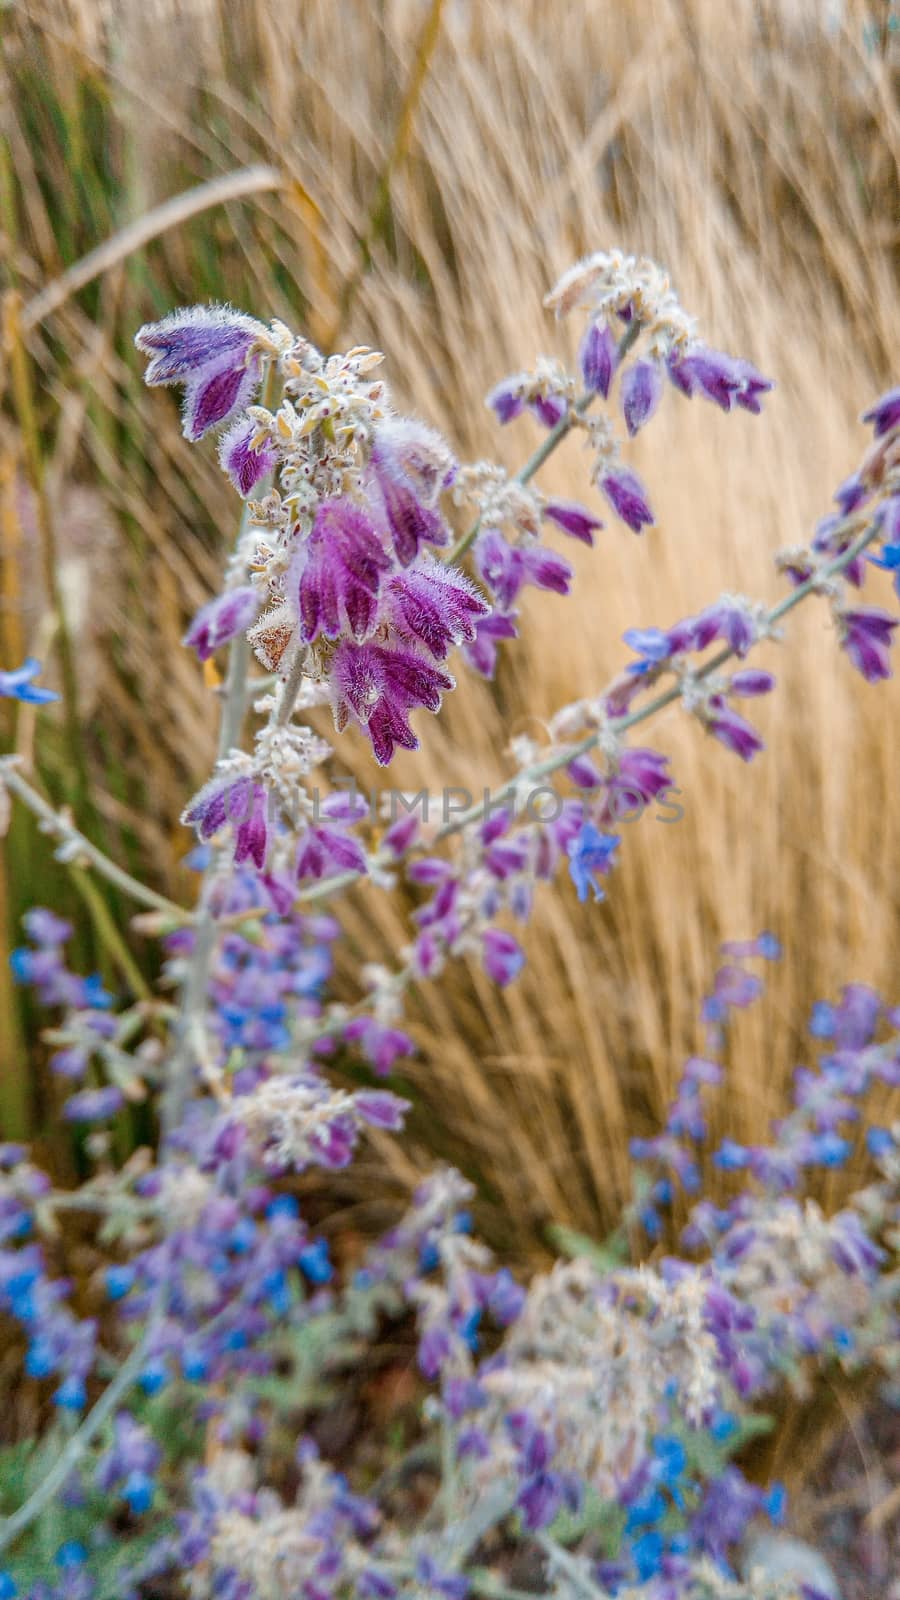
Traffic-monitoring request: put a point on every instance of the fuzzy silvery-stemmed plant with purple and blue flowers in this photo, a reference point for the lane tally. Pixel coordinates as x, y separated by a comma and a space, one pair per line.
584, 1426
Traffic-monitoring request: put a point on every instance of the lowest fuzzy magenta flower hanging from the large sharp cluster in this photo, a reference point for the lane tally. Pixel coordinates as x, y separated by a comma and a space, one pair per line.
379, 687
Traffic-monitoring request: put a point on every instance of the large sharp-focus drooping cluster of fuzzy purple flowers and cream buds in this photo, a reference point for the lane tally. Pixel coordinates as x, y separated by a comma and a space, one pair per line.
345, 534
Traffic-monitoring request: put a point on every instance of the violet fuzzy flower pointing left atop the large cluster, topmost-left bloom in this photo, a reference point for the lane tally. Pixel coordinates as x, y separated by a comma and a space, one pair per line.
212, 351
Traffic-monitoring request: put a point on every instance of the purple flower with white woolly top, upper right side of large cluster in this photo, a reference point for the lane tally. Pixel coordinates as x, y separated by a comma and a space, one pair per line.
412, 466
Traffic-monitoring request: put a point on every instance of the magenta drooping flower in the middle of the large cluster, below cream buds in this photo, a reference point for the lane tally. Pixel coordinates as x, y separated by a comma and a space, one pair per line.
339, 574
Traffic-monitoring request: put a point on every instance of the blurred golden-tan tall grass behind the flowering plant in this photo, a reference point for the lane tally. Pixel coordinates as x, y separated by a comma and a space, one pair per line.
432, 169
